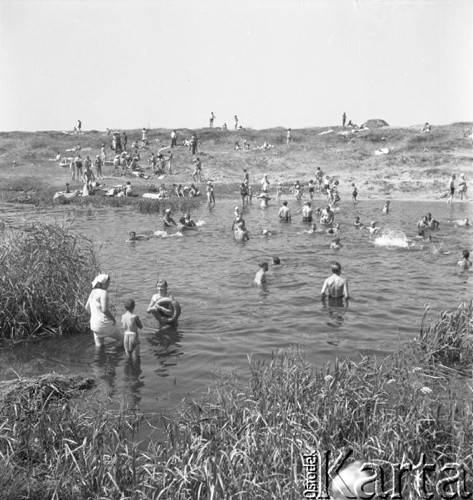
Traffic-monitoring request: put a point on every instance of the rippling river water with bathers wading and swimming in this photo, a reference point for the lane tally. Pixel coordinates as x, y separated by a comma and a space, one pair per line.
226, 317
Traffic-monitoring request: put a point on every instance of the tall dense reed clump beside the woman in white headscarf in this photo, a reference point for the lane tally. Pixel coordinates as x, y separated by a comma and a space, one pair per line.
45, 275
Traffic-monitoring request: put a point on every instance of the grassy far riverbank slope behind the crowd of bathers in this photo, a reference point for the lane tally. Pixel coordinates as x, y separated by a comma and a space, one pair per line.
384, 163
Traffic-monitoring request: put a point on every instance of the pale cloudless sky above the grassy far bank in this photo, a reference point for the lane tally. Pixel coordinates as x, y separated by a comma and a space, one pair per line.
125, 64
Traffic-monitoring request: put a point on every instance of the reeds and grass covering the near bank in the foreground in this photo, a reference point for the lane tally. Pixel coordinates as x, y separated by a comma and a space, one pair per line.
246, 439
